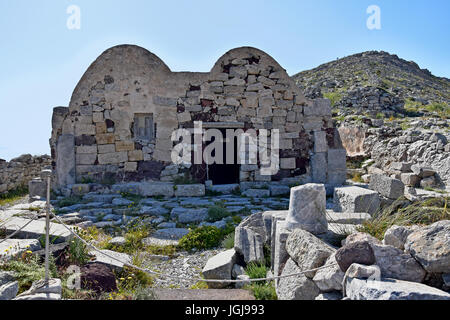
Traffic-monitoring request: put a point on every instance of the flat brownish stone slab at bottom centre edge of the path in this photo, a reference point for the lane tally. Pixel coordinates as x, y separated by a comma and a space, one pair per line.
203, 294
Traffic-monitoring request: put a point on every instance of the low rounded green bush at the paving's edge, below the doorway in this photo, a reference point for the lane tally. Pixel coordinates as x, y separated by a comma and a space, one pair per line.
201, 238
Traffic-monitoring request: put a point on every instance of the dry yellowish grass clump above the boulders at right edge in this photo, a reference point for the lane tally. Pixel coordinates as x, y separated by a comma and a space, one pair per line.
403, 212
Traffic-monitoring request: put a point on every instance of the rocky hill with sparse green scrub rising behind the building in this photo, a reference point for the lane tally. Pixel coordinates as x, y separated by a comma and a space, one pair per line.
377, 84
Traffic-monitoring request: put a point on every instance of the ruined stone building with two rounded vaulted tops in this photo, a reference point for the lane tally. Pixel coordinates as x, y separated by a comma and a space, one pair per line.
123, 111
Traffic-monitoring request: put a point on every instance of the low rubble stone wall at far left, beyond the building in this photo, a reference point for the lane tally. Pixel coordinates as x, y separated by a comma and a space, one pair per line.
19, 171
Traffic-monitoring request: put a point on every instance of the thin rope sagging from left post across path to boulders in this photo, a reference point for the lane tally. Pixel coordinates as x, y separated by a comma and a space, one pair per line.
184, 278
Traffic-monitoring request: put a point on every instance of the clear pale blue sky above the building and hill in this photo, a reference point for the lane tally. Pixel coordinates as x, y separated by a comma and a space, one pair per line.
42, 60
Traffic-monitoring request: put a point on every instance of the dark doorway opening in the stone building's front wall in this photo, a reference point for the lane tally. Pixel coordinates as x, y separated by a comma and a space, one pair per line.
225, 173
